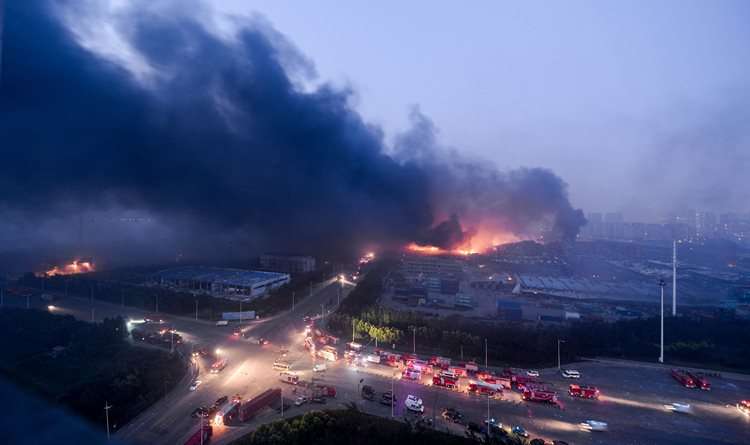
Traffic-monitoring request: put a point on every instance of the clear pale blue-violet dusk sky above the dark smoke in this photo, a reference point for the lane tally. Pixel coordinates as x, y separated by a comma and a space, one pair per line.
607, 94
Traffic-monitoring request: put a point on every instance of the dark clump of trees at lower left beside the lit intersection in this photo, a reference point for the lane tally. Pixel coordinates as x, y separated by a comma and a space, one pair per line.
84, 365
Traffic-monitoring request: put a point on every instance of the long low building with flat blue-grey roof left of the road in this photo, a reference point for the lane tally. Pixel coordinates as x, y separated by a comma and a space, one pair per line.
236, 284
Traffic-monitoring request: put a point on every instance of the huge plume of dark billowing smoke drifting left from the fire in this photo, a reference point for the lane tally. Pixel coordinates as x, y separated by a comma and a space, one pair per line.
221, 139
